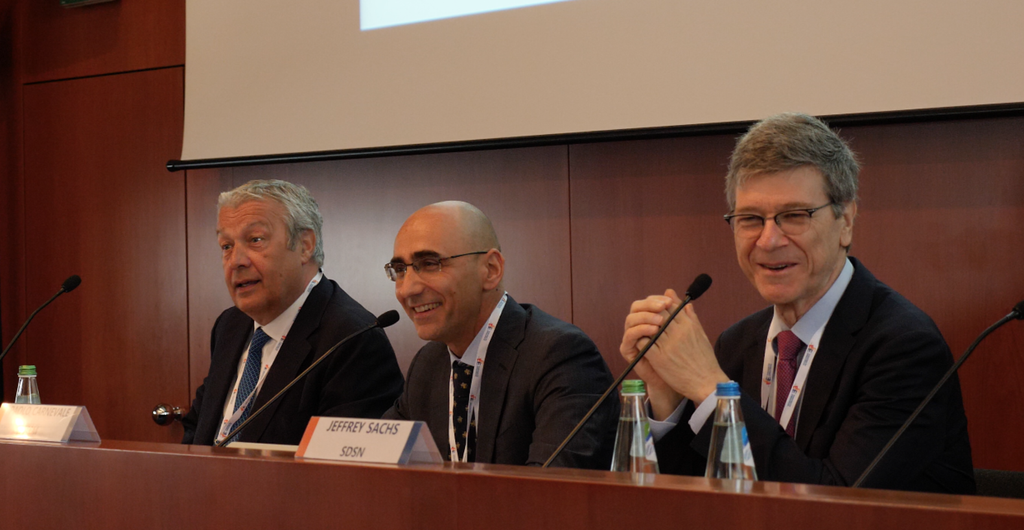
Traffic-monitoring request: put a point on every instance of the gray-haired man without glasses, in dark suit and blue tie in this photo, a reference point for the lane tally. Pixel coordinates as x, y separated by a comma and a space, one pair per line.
287, 315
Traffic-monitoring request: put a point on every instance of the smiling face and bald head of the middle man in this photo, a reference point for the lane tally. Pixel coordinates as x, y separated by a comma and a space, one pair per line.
450, 305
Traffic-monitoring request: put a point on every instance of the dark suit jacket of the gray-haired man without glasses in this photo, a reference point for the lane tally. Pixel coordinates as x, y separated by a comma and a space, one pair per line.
360, 380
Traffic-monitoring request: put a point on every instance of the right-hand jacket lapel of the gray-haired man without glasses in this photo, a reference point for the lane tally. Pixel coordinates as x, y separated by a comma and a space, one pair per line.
291, 359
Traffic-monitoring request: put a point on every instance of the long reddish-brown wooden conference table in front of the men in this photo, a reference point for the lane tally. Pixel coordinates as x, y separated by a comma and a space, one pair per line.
118, 484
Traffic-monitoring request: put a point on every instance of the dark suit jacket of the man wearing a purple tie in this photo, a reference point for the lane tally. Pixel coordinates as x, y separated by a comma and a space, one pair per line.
878, 360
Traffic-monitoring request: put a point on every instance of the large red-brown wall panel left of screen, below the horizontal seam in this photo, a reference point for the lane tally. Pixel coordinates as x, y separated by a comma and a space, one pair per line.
102, 207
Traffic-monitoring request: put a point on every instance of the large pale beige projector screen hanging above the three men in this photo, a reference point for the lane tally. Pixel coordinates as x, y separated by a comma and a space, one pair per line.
269, 77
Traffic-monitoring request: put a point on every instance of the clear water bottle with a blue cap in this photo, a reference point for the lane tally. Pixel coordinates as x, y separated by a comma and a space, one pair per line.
730, 456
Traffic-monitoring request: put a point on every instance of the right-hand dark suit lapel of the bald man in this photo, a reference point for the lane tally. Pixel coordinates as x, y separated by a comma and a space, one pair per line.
502, 356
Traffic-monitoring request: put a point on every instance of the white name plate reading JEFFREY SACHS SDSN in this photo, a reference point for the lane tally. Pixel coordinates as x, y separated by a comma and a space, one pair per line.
378, 441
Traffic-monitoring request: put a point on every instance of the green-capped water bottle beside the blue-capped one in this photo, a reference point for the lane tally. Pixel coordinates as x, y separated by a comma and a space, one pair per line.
634, 444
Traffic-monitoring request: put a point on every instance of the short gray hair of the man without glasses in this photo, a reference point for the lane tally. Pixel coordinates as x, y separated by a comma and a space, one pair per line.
304, 214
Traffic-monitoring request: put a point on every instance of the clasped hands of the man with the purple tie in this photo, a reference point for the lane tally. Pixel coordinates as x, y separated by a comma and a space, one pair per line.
681, 365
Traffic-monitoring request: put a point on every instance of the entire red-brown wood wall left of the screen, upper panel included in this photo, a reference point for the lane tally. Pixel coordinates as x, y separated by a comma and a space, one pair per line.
92, 107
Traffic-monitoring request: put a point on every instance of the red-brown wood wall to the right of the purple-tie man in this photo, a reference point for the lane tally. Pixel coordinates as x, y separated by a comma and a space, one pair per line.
943, 218
